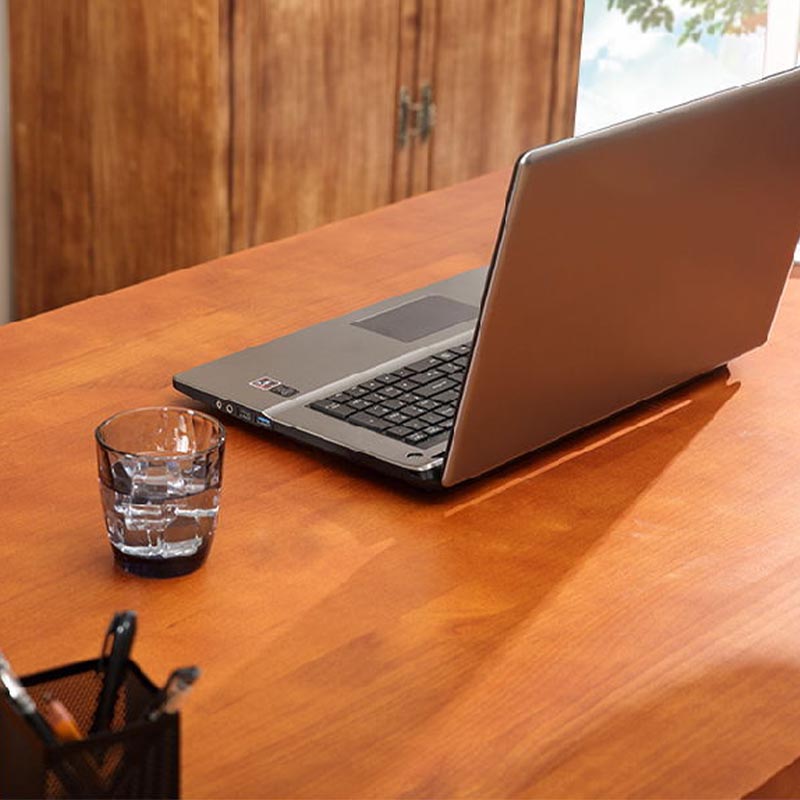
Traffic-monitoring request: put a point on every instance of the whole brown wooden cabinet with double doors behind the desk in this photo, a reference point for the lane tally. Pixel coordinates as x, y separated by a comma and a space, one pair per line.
149, 135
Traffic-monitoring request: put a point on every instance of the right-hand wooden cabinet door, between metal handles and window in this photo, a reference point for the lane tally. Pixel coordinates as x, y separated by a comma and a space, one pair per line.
503, 82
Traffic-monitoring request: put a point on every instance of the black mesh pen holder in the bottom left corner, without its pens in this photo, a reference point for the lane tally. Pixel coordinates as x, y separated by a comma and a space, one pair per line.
136, 757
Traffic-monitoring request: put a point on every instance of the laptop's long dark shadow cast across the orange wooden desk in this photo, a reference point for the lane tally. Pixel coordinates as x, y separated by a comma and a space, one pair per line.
377, 662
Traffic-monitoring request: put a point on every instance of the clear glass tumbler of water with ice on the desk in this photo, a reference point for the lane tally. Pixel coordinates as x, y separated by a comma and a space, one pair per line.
160, 472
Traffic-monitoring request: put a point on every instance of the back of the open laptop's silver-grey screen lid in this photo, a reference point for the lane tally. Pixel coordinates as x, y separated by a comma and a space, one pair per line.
631, 260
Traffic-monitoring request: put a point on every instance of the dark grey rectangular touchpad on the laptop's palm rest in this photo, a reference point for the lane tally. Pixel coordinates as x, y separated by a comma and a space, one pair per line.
419, 318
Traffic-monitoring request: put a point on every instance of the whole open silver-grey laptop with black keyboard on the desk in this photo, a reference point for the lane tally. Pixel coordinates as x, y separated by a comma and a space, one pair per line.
628, 261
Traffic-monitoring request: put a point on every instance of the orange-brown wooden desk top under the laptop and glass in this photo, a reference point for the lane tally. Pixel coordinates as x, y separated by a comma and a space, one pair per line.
616, 616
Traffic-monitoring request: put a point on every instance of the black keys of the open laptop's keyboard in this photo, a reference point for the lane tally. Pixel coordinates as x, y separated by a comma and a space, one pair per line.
415, 404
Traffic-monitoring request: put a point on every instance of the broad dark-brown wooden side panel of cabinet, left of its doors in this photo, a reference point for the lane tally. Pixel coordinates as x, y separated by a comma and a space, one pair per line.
119, 150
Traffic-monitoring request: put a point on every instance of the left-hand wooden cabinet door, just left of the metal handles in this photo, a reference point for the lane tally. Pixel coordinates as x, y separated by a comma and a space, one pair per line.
314, 85
